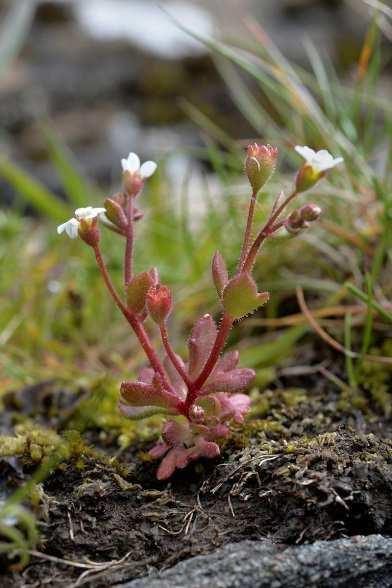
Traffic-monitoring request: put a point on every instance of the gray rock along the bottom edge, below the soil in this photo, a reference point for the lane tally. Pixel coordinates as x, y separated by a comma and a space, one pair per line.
357, 562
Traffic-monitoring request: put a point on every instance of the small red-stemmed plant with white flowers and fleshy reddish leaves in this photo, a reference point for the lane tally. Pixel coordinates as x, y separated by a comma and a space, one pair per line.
204, 394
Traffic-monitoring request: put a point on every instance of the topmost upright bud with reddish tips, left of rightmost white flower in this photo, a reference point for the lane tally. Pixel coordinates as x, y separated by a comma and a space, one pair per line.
260, 164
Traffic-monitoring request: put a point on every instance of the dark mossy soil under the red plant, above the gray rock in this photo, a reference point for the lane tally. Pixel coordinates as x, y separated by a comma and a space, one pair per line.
306, 467
